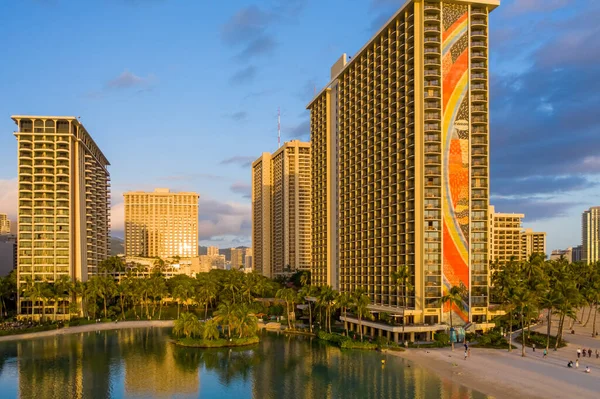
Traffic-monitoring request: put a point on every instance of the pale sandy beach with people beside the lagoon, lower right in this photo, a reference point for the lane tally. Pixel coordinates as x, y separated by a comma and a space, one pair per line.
500, 374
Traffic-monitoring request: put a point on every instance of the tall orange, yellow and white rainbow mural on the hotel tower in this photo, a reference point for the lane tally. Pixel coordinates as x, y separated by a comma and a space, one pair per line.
455, 142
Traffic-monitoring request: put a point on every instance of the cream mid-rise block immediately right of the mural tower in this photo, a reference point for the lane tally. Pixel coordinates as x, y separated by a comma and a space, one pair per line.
505, 241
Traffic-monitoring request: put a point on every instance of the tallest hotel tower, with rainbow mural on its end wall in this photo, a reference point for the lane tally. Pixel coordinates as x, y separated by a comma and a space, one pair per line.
400, 167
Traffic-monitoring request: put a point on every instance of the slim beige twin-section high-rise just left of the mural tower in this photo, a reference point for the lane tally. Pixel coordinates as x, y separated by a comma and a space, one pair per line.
281, 210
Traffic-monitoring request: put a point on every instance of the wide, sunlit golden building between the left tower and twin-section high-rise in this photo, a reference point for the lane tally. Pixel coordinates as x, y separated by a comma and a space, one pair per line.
161, 224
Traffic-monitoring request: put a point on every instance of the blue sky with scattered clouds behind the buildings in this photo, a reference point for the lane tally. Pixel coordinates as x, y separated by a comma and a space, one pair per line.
184, 94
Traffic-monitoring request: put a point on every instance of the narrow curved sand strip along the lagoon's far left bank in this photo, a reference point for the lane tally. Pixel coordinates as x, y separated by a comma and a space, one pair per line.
90, 328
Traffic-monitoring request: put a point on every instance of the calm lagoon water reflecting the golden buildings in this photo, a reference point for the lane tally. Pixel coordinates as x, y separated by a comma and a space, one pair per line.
141, 363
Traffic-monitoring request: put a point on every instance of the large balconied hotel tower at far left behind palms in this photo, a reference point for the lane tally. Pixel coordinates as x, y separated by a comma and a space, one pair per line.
64, 202
